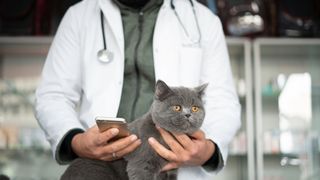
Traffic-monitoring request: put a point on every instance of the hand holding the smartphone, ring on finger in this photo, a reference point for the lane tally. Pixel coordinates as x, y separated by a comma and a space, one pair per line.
96, 145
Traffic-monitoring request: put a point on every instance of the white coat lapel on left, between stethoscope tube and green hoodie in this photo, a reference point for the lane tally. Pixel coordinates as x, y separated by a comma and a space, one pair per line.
113, 18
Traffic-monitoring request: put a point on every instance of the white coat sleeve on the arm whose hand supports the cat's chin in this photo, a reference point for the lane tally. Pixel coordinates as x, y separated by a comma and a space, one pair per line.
221, 102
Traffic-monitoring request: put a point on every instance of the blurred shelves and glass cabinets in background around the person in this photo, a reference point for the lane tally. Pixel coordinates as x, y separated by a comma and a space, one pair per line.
274, 49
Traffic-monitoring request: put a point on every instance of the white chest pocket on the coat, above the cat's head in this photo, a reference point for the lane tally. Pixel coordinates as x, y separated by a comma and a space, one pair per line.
190, 66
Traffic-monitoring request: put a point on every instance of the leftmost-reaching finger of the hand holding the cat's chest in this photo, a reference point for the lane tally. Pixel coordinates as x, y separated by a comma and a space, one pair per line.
161, 150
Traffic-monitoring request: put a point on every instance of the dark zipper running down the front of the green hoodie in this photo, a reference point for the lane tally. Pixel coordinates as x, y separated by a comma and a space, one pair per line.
138, 80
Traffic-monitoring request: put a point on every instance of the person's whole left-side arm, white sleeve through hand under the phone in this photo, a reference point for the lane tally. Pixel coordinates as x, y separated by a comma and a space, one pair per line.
58, 95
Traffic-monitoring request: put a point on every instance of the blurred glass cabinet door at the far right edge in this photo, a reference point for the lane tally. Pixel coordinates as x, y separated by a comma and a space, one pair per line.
287, 102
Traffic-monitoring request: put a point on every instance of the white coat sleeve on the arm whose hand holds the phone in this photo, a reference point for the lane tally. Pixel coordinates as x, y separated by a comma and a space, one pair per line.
59, 92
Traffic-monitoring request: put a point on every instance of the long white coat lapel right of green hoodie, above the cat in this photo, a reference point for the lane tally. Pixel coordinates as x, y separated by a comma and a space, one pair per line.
166, 43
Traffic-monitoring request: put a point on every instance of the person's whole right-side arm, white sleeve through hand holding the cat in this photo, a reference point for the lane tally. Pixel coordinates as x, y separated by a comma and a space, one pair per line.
222, 110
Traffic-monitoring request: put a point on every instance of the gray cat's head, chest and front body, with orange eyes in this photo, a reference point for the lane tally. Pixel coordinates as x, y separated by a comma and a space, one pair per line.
175, 109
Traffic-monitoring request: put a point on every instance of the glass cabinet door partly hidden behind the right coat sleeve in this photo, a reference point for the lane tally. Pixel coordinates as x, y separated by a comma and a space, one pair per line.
240, 163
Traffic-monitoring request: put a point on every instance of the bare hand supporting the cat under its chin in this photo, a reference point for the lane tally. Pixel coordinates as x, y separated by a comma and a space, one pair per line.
192, 150
